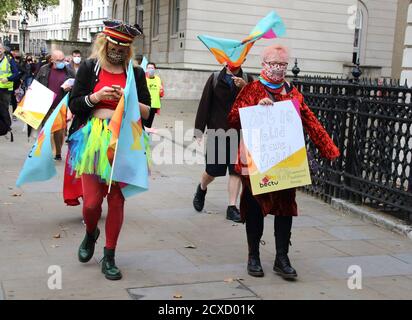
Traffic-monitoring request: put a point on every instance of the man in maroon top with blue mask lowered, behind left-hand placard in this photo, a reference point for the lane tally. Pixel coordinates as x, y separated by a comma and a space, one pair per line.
53, 75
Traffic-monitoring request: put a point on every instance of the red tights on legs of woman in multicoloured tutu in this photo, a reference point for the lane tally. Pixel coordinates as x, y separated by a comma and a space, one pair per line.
93, 194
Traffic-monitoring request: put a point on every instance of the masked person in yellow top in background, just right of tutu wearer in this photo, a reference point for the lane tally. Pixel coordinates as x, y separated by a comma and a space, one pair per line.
155, 86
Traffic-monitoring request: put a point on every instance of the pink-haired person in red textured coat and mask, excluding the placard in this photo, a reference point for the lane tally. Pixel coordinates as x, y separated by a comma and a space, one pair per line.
272, 87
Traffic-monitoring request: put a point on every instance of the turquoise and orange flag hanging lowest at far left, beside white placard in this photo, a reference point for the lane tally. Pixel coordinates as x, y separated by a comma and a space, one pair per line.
39, 165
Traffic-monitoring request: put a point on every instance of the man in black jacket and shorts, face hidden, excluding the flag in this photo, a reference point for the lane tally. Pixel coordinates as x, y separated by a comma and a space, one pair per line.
218, 96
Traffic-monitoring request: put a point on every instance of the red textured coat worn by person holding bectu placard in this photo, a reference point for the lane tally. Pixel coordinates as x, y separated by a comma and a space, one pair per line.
283, 202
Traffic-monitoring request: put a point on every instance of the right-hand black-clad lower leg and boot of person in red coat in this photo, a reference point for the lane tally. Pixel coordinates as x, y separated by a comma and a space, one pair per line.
282, 264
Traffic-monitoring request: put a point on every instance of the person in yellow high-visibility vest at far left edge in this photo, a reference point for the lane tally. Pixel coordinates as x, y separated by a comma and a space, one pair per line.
8, 73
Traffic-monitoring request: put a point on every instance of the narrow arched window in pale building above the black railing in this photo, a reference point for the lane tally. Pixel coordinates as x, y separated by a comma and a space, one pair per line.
361, 24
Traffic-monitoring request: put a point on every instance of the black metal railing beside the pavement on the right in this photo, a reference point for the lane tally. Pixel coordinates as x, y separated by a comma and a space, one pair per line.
371, 123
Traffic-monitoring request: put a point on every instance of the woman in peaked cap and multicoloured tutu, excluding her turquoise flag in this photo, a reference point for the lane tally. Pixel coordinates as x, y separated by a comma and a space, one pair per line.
99, 85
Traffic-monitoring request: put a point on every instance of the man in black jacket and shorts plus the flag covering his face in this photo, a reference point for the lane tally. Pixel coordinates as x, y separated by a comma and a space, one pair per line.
218, 96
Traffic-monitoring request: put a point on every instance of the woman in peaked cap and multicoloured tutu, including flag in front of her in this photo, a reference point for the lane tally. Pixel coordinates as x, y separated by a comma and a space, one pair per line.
106, 137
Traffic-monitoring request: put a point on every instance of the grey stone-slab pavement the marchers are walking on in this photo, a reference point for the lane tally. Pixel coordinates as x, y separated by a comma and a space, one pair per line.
167, 250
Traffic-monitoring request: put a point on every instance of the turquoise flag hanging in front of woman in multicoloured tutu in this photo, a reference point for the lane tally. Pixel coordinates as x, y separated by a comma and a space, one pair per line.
130, 165
